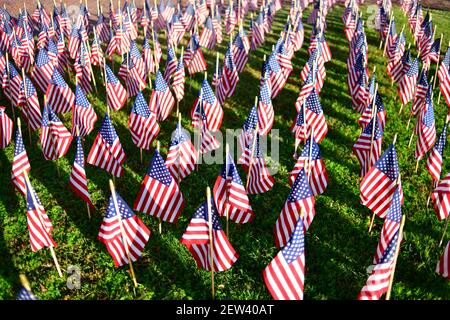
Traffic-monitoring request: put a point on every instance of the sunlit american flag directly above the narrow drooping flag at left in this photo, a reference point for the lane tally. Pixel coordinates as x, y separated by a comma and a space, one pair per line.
83, 115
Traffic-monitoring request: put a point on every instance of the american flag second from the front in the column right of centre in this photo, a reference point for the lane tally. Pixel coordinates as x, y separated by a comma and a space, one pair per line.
300, 199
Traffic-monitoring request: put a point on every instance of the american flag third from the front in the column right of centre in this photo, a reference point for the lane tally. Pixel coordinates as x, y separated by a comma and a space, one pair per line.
317, 173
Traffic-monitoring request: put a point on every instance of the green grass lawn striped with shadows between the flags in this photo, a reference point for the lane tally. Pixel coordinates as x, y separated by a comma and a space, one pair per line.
338, 245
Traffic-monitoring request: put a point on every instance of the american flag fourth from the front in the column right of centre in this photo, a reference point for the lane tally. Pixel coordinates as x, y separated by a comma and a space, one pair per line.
314, 116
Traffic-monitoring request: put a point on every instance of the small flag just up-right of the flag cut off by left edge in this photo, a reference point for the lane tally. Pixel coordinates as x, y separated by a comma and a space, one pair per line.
30, 103
